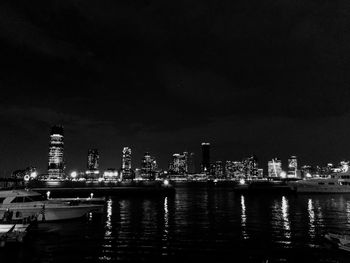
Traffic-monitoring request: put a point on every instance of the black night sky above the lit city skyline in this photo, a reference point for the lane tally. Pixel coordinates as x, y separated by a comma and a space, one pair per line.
269, 78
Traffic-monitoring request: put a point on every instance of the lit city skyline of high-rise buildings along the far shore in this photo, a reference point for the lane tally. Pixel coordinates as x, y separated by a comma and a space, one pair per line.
179, 163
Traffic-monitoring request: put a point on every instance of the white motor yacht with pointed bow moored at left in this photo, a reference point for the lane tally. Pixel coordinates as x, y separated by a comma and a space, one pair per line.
23, 204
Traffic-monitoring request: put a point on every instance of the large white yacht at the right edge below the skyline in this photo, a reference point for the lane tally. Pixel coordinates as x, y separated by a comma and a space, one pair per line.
334, 183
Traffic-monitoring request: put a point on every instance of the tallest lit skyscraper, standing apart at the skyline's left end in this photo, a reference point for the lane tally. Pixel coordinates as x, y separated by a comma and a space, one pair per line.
56, 162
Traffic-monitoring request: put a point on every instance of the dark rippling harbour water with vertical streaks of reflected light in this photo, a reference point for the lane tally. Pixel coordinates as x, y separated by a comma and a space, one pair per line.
212, 224
